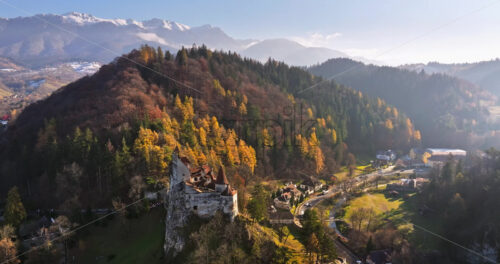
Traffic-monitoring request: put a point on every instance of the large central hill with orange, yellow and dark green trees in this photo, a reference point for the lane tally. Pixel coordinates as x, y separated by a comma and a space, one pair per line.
107, 133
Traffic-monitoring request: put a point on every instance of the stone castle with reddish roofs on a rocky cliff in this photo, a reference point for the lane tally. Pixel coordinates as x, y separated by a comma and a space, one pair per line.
195, 190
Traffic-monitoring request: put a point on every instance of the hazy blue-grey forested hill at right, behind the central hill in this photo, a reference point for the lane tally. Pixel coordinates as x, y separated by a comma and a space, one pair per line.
449, 111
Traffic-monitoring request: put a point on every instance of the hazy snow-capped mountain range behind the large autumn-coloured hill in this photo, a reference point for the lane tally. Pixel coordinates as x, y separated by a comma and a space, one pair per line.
44, 39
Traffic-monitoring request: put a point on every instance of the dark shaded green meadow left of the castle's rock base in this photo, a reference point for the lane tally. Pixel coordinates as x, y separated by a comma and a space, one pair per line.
137, 241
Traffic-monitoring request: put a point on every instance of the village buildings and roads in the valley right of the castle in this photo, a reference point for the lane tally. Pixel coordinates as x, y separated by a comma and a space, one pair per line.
408, 174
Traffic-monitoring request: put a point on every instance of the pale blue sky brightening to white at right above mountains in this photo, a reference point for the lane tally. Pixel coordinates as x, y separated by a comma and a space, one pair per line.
390, 31
